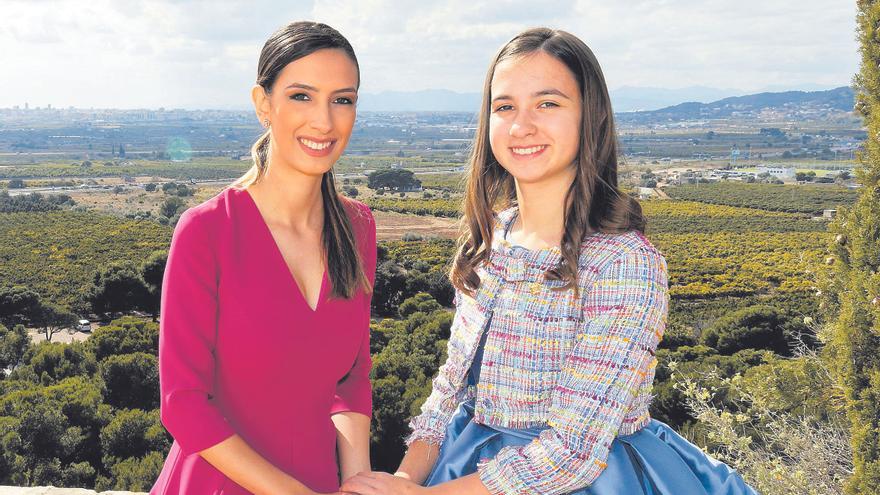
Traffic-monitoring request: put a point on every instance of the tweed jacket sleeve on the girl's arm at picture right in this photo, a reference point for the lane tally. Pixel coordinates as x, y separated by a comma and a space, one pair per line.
624, 317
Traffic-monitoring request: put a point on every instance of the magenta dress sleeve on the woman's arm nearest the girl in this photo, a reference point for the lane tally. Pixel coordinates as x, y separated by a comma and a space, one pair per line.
354, 392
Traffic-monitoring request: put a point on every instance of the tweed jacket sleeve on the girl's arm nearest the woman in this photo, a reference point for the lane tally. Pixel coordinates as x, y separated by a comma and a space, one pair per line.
437, 411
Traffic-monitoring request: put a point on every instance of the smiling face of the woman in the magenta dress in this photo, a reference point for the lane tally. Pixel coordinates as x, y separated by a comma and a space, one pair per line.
311, 110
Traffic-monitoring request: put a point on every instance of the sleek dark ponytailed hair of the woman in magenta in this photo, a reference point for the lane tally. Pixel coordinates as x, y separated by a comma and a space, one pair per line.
292, 42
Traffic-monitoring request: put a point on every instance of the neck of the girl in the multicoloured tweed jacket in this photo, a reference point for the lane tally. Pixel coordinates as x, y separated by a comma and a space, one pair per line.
541, 218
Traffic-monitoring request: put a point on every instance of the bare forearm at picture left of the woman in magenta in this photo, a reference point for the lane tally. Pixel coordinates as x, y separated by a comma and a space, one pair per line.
239, 462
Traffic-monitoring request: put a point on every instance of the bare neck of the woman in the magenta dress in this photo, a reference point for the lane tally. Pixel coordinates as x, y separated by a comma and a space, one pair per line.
292, 199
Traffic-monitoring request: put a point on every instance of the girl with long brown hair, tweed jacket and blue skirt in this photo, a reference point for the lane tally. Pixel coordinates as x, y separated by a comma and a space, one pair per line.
561, 302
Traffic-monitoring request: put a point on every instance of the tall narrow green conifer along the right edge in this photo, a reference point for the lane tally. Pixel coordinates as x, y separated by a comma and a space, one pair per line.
851, 294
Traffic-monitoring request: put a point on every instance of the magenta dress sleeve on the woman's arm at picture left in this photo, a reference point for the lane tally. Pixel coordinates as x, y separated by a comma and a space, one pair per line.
187, 336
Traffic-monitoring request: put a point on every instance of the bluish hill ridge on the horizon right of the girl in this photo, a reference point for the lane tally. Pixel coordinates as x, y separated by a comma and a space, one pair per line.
788, 103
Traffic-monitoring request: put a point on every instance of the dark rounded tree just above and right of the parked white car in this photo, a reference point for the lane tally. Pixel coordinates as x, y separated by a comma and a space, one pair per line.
118, 288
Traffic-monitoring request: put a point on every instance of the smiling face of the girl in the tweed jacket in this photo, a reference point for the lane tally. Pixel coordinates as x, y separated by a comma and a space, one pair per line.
535, 118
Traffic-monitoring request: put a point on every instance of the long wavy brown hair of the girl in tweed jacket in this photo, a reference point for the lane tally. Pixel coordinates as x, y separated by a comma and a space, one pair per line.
593, 201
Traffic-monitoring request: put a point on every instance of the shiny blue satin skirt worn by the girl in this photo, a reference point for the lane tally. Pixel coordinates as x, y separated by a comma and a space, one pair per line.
653, 461
